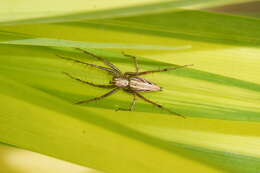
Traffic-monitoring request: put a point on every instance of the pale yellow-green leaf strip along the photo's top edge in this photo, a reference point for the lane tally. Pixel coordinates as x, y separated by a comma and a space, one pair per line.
80, 9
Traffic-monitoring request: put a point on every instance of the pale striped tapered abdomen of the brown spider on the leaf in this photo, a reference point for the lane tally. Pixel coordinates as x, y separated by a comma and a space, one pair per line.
139, 84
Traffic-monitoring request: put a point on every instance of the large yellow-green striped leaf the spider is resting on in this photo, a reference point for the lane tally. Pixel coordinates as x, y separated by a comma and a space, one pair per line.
223, 85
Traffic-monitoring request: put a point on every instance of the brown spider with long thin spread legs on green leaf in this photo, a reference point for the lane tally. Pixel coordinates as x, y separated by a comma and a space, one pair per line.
130, 82
